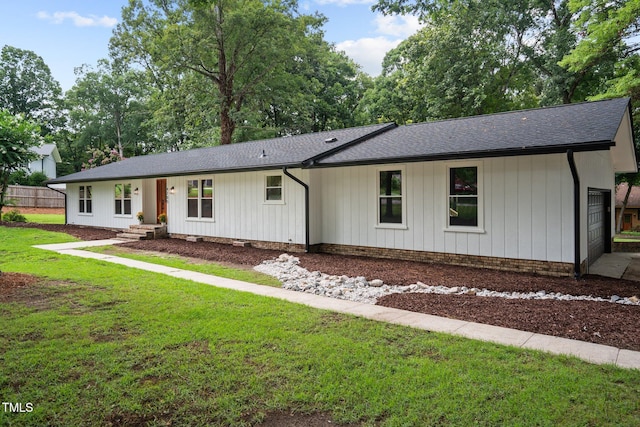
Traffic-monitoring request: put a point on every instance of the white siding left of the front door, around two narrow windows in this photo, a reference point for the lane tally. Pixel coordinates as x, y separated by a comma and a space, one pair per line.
103, 204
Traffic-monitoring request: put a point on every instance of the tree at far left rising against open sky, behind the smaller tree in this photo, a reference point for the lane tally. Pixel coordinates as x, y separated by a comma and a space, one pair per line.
27, 87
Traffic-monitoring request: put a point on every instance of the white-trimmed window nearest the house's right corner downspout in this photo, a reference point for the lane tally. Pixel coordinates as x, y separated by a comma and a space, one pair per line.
463, 197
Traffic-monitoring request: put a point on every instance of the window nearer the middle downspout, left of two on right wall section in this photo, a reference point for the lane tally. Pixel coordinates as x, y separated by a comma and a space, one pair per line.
391, 209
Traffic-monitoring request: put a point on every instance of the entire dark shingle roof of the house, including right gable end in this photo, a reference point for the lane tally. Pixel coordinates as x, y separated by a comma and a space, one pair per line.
601, 125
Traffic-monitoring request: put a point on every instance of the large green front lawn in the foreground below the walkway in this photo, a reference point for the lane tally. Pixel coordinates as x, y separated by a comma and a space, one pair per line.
94, 343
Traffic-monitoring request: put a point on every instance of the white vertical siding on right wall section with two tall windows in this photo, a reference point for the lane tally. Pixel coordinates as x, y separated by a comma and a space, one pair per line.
526, 202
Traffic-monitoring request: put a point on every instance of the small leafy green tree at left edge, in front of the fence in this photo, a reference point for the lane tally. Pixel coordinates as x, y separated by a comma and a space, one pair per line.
17, 137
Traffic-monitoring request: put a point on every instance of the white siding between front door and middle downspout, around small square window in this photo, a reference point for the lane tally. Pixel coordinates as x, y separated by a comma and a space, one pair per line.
240, 208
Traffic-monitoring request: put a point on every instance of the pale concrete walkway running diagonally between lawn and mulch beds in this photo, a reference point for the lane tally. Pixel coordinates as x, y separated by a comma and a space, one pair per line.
594, 353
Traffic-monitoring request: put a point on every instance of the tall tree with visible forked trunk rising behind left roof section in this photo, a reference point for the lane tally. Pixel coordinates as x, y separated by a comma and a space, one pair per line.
236, 45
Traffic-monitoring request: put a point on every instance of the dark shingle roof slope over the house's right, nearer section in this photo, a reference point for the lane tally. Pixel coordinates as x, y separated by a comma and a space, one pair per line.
584, 126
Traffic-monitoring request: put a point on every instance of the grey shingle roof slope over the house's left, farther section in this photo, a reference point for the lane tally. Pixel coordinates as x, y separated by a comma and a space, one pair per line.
279, 152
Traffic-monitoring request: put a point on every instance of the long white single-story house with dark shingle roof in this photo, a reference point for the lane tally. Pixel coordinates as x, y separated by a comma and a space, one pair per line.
525, 190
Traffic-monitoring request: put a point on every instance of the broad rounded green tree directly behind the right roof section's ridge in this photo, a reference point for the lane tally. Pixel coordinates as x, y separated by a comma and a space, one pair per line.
466, 61
